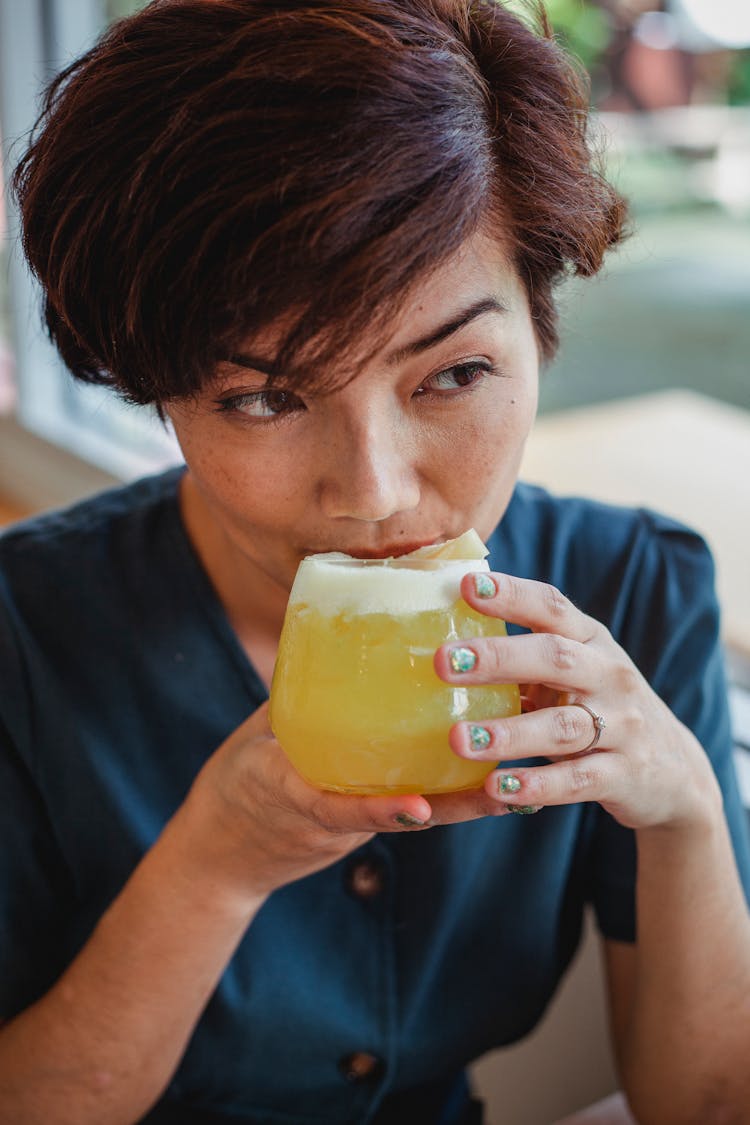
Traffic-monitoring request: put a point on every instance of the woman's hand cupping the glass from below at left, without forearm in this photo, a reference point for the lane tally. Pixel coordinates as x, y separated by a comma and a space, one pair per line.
260, 825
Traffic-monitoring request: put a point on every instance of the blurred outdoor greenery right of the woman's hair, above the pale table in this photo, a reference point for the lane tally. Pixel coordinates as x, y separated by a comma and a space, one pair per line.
672, 84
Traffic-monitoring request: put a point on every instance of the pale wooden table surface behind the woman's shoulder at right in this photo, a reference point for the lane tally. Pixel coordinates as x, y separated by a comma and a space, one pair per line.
679, 453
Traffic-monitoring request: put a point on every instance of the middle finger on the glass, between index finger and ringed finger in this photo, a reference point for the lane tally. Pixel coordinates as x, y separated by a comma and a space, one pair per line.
548, 659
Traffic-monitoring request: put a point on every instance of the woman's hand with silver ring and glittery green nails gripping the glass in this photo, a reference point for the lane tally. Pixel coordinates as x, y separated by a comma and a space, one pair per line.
646, 768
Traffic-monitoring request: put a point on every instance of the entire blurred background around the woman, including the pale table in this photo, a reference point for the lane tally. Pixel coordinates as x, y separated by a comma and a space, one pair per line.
649, 401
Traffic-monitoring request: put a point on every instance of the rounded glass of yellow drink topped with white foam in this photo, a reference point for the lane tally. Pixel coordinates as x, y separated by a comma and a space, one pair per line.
356, 703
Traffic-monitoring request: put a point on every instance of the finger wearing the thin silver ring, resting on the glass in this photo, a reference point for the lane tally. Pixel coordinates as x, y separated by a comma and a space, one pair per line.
550, 733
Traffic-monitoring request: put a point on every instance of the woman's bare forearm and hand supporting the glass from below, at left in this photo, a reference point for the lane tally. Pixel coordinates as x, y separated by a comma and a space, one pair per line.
128, 1005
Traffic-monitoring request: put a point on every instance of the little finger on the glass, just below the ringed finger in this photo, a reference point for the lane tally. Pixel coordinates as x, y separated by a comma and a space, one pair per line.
589, 778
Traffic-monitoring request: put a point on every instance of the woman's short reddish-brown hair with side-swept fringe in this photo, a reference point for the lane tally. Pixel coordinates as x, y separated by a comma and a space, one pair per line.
210, 169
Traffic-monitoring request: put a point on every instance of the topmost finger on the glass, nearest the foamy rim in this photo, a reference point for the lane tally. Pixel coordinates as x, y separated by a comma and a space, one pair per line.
537, 606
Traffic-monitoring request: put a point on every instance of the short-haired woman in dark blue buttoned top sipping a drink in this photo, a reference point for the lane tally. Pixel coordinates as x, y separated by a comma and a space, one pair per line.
323, 240
